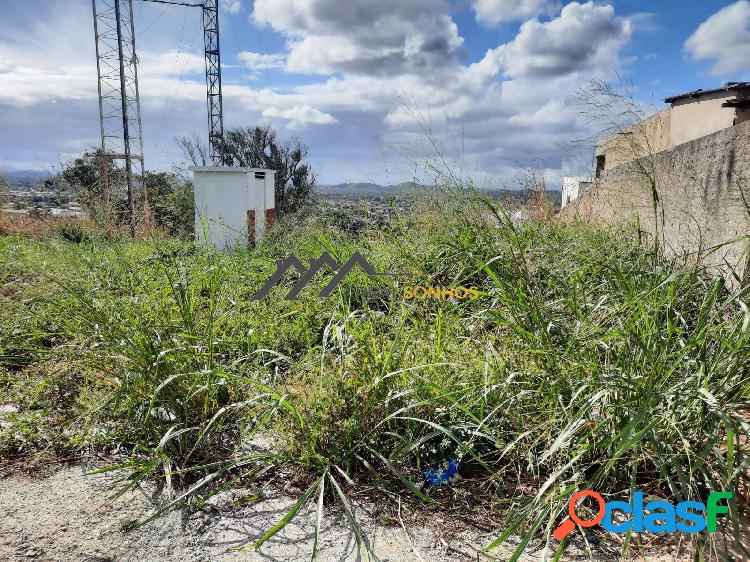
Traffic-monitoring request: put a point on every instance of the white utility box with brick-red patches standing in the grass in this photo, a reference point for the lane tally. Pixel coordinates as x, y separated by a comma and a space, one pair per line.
234, 207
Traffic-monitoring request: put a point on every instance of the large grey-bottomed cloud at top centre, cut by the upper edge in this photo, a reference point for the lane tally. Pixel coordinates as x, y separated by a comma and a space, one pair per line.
362, 36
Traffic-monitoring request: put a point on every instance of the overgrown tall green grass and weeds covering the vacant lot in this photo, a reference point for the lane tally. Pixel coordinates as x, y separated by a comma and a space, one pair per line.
587, 363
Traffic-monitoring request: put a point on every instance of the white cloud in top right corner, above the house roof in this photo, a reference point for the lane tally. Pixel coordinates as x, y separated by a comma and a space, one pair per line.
724, 38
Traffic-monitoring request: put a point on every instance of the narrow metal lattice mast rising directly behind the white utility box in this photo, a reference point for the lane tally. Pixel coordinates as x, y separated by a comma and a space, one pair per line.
213, 82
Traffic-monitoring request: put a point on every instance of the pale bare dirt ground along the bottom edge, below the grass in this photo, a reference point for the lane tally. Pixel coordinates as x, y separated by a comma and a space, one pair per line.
67, 516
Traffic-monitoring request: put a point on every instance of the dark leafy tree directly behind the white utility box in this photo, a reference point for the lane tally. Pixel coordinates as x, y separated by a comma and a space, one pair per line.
258, 147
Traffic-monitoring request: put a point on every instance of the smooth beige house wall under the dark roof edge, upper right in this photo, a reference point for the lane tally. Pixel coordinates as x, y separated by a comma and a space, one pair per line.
699, 118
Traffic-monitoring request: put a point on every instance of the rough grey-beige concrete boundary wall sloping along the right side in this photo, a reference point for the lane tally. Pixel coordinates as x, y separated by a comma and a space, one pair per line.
700, 184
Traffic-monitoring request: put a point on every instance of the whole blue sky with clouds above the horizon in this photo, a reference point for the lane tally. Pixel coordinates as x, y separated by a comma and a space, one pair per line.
362, 81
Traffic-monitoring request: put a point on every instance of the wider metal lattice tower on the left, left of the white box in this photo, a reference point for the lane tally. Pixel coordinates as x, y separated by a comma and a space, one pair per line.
119, 100
